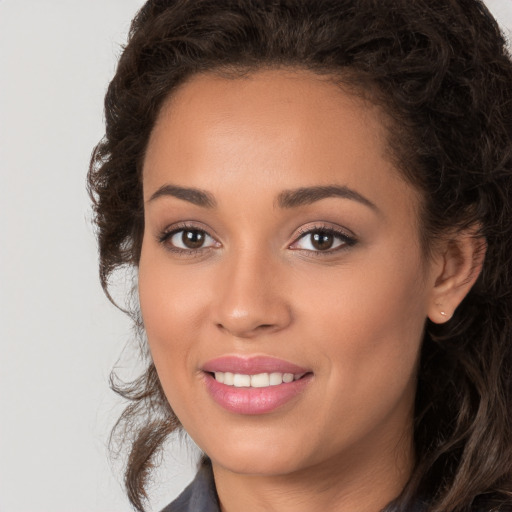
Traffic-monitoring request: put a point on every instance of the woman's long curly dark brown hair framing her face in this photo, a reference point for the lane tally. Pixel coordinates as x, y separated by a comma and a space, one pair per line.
441, 71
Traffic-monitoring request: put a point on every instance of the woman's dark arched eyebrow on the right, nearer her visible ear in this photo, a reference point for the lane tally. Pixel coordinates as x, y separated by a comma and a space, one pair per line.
309, 195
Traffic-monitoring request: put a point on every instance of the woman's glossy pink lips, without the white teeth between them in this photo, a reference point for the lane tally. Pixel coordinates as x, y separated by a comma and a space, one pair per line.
246, 400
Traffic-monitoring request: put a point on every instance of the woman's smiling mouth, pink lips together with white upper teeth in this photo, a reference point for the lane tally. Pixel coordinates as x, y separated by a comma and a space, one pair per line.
254, 385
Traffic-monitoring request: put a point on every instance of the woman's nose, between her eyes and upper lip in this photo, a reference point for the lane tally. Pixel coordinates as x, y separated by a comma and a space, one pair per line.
251, 299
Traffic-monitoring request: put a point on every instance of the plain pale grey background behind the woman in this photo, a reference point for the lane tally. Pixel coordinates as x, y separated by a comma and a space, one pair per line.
59, 335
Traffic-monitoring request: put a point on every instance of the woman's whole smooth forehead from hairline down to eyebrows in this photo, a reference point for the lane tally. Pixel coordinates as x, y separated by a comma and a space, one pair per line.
277, 127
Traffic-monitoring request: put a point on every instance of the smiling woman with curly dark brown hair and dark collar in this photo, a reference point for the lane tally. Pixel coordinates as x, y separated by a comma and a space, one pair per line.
317, 199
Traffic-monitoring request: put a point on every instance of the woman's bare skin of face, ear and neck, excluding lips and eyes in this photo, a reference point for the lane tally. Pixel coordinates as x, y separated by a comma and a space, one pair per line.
354, 315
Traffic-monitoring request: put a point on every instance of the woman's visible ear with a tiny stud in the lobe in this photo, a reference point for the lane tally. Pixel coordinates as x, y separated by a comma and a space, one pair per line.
457, 267
